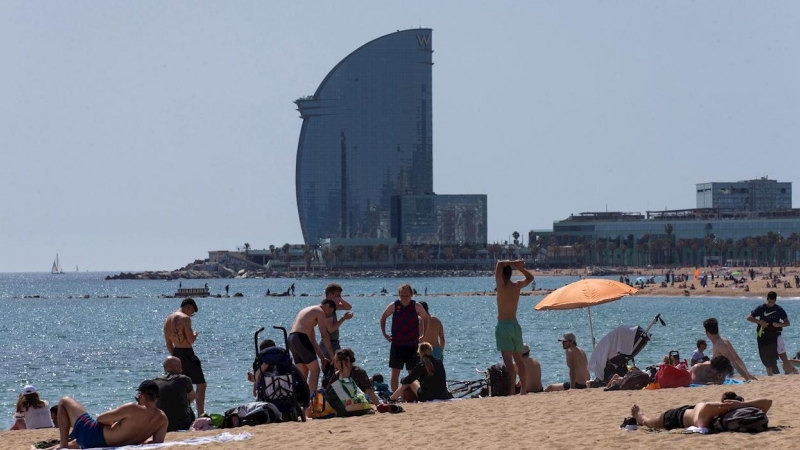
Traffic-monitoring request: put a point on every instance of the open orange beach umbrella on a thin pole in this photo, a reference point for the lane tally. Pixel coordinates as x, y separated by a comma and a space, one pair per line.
585, 294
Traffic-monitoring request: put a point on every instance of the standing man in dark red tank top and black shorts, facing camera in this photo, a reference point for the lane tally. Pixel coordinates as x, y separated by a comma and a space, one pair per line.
407, 332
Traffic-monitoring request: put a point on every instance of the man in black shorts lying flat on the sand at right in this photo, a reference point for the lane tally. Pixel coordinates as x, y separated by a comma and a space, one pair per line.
701, 415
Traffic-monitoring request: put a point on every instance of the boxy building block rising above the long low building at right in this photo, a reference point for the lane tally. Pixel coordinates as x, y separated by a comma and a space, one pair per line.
751, 195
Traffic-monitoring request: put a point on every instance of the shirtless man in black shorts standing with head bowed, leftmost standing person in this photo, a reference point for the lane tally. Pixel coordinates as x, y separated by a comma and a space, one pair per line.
180, 337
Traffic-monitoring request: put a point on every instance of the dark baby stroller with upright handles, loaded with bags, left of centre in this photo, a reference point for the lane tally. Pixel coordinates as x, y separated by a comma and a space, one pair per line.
282, 384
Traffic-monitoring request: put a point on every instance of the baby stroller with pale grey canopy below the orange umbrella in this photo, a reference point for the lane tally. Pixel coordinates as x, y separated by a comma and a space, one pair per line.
617, 349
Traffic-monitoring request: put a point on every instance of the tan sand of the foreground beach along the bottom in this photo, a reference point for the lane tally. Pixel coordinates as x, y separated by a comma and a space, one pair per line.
587, 419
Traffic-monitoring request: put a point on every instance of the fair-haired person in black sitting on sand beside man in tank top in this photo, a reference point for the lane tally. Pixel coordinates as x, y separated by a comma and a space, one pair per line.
427, 380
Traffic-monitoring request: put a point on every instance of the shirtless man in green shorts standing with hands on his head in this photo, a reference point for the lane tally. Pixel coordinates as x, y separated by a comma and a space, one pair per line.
507, 332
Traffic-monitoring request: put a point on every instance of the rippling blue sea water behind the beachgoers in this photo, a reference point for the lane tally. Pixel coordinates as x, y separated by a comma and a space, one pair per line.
98, 349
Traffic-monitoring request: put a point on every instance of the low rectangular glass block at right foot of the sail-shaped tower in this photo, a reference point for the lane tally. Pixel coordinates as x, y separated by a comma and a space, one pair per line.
439, 219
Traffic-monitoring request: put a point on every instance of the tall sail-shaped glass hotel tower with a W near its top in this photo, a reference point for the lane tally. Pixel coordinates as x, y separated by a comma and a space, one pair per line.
366, 137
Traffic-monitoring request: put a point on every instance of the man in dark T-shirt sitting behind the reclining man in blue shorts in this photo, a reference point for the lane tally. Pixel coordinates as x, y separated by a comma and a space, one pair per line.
175, 395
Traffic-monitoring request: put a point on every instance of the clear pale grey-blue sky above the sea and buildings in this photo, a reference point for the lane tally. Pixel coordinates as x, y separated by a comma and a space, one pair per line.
140, 135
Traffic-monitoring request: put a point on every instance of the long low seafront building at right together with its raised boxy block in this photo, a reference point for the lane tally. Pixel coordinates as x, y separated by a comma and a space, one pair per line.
751, 221
